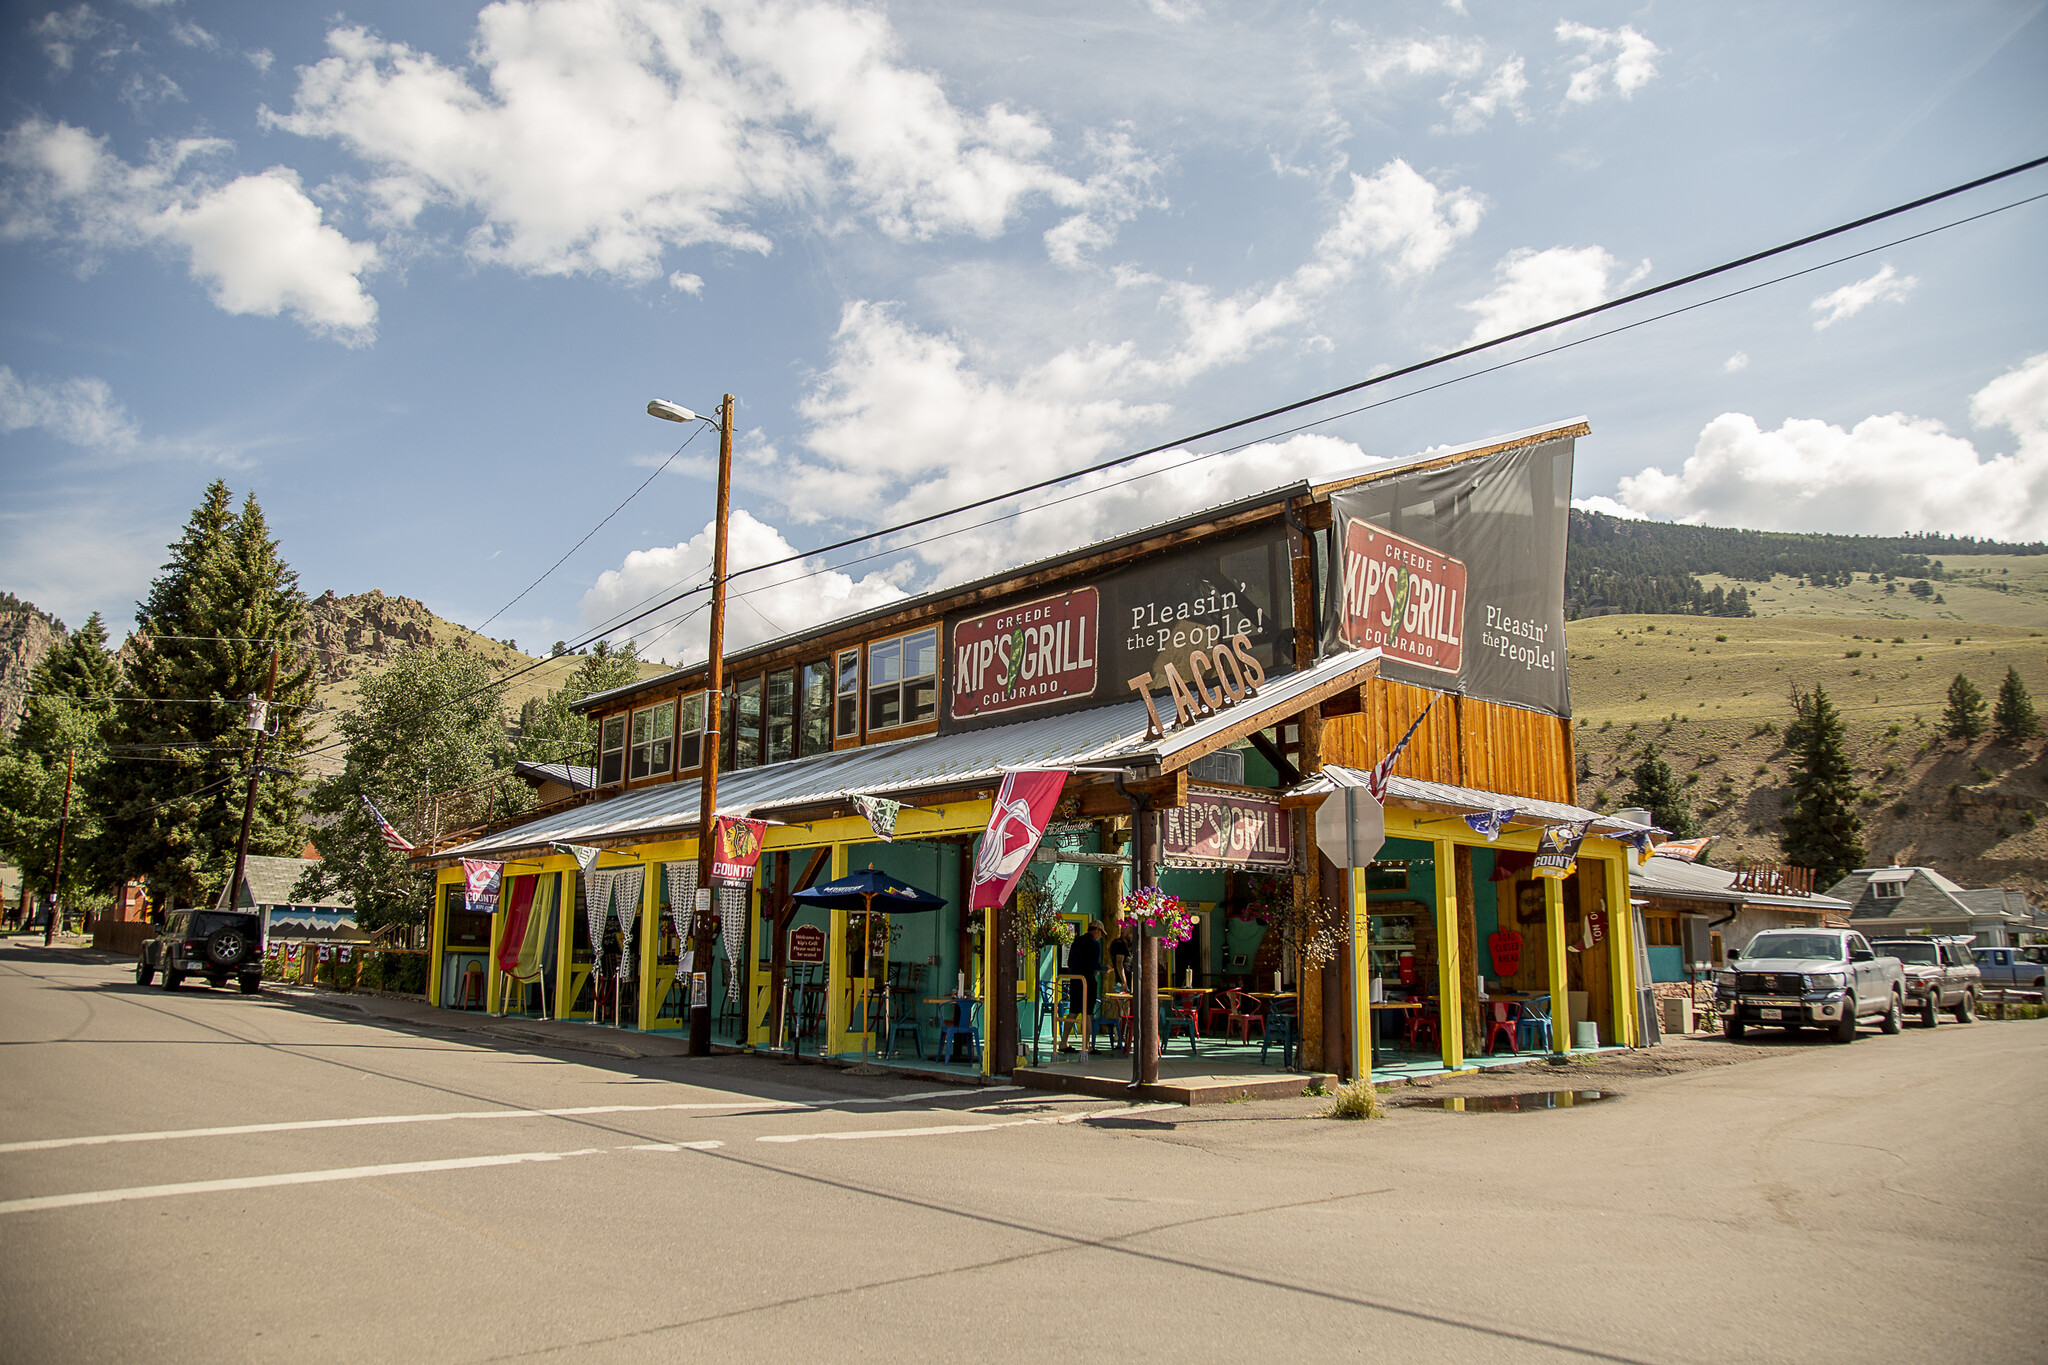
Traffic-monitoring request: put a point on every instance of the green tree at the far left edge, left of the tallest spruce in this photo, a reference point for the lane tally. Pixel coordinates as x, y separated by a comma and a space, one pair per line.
62, 715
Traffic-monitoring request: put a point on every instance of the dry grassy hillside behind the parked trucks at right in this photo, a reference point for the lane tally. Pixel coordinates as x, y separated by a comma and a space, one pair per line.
1715, 697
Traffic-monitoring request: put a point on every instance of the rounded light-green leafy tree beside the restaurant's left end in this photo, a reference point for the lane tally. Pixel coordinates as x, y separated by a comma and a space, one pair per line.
429, 723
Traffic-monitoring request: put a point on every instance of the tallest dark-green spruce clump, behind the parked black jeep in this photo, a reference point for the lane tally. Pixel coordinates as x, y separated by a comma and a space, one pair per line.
204, 644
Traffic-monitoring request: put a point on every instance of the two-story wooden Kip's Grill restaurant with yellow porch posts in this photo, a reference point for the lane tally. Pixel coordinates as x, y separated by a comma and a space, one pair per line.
1211, 666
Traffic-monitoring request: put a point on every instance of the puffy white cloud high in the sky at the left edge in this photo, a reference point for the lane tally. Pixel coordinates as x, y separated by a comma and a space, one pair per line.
259, 243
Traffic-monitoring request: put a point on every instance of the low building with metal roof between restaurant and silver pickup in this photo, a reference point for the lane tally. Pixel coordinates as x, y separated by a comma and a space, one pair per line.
1715, 910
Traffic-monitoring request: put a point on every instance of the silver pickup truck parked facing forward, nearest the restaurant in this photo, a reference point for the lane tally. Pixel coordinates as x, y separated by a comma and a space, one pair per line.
1824, 979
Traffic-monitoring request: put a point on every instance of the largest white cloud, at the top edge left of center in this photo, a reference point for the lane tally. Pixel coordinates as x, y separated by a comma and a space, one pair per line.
601, 134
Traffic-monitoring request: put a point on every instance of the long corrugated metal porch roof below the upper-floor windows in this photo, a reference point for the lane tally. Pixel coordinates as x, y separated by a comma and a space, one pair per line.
1103, 736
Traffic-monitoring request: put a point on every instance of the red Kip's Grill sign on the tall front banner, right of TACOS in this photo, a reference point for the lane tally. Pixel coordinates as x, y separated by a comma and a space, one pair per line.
1404, 599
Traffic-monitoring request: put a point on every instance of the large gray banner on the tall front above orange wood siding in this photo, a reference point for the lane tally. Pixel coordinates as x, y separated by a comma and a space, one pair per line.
1459, 576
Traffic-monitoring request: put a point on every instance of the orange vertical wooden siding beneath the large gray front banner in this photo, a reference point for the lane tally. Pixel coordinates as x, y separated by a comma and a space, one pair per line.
1463, 742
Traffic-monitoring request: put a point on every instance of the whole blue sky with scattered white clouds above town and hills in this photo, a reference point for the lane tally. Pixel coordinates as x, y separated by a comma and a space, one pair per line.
413, 271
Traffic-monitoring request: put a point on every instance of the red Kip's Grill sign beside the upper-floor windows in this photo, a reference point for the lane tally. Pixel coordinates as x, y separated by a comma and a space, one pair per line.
1027, 656
